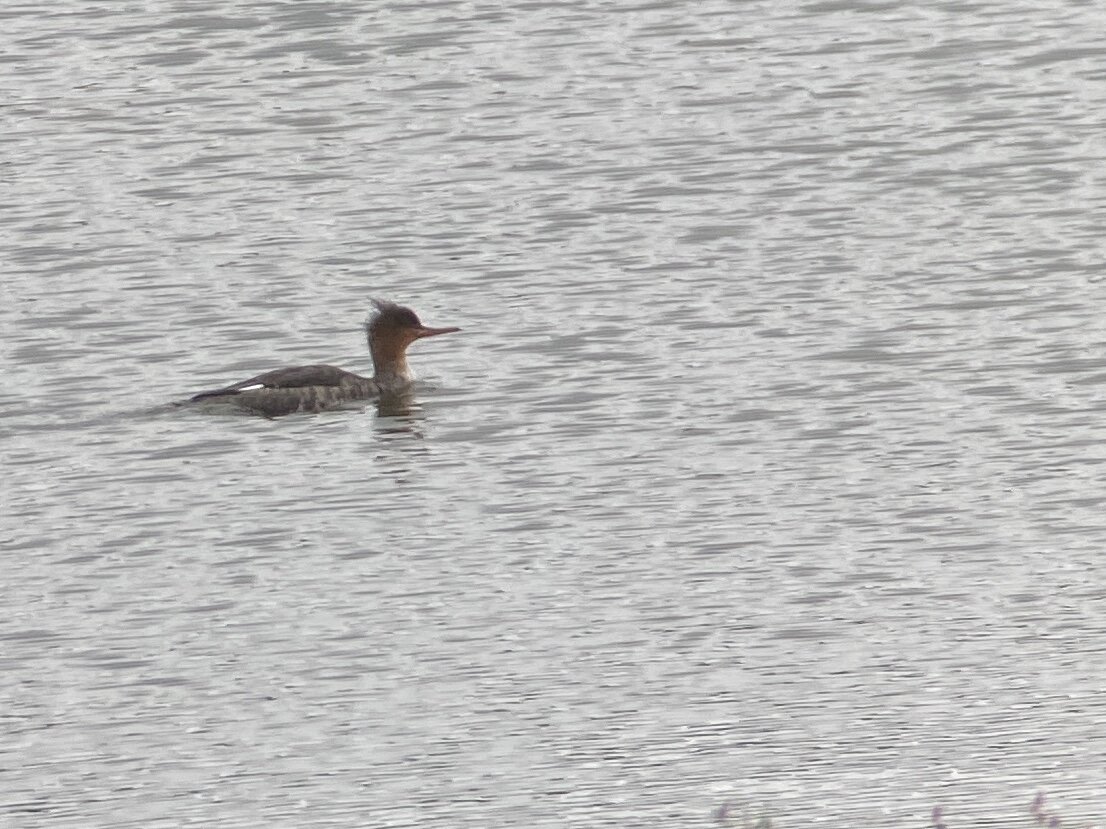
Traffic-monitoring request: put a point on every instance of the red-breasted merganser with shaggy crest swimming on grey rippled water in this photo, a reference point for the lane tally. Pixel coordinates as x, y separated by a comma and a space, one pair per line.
316, 389
